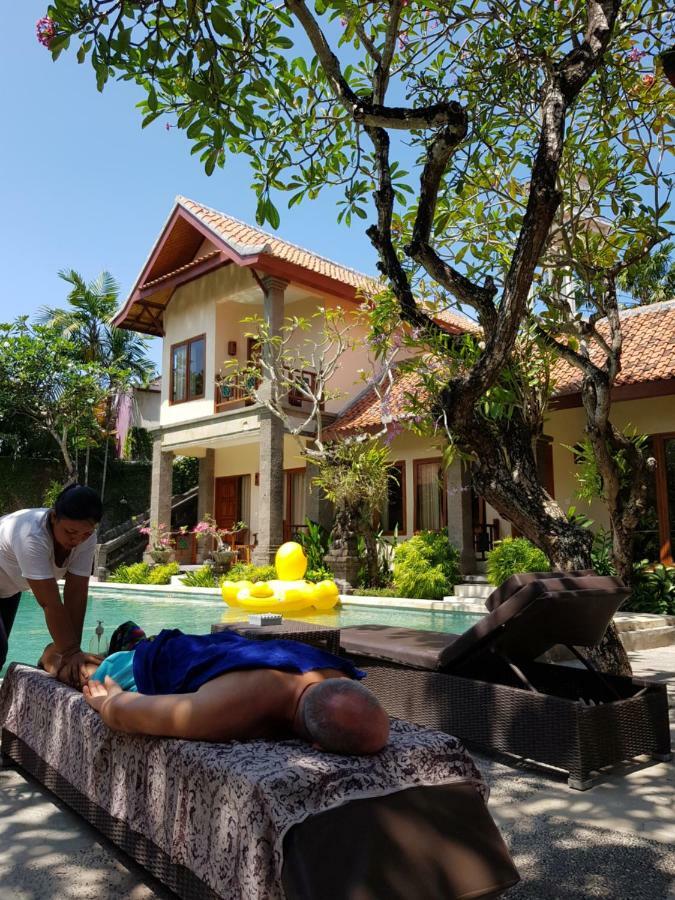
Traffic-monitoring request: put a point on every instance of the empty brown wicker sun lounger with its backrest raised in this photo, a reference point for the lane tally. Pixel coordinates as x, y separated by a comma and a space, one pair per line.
486, 686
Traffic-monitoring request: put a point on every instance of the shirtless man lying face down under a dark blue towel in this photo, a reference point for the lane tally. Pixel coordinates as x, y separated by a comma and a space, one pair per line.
223, 686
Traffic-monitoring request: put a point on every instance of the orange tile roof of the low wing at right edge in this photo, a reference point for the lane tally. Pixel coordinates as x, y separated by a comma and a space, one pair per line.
648, 352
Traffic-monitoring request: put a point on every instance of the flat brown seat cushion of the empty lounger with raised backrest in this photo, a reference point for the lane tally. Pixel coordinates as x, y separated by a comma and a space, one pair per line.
409, 646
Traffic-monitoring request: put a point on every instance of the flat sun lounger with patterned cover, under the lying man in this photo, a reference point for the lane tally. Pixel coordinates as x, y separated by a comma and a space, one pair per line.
264, 820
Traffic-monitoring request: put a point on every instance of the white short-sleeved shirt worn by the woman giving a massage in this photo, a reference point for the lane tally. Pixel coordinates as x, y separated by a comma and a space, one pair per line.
27, 552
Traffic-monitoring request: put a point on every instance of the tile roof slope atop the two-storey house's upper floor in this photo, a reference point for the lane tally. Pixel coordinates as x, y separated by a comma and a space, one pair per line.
247, 239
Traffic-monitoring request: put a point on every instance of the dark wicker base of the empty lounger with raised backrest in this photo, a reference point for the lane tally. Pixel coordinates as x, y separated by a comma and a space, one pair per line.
554, 727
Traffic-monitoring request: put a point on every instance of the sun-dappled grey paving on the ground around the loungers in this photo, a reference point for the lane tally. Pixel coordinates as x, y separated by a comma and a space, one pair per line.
616, 841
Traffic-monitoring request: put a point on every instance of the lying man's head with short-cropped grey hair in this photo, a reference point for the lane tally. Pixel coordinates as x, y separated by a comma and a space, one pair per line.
342, 716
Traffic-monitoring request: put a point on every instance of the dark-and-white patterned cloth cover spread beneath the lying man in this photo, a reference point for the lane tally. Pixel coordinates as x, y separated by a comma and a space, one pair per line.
221, 810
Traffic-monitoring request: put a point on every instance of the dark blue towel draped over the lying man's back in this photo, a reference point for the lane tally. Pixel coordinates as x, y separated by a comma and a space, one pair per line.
177, 663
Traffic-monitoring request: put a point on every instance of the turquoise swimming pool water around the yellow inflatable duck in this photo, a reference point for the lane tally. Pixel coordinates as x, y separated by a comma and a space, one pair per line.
29, 634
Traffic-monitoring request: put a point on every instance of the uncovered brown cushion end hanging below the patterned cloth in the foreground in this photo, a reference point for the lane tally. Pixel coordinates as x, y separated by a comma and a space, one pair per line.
428, 843
